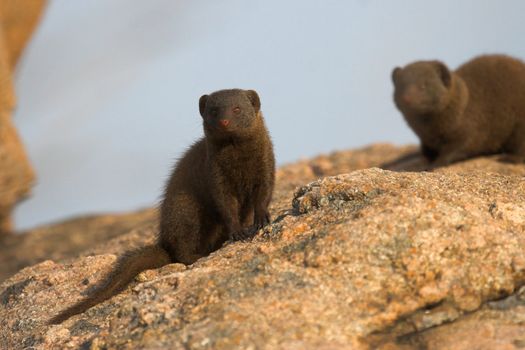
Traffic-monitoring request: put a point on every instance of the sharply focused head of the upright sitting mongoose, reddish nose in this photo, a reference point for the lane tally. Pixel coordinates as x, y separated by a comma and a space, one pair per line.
229, 112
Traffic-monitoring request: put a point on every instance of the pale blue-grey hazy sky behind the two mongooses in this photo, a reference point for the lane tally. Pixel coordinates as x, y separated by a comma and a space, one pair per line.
108, 90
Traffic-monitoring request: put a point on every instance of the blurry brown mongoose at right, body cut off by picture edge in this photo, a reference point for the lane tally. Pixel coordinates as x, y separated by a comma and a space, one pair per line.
478, 109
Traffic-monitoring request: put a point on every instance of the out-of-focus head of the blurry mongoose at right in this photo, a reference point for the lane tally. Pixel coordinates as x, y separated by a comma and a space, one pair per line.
422, 87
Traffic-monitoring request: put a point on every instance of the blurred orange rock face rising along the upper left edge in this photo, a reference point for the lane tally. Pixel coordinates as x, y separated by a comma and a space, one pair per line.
17, 21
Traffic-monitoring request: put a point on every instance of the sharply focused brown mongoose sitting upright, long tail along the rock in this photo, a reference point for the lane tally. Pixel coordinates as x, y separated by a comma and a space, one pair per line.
219, 190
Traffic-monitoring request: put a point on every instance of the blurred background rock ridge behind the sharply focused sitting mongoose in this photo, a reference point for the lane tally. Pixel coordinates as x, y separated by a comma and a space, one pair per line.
94, 234
